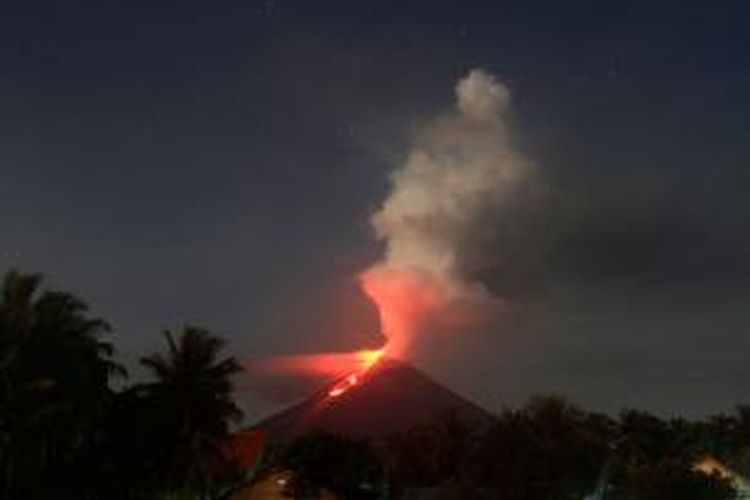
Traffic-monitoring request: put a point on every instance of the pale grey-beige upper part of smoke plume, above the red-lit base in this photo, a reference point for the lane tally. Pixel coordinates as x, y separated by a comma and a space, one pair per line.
448, 200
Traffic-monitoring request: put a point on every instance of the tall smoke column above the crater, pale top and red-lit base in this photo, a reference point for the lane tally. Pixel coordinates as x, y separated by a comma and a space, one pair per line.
437, 223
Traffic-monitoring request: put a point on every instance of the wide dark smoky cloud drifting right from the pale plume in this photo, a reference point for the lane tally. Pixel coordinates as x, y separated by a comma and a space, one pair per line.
610, 233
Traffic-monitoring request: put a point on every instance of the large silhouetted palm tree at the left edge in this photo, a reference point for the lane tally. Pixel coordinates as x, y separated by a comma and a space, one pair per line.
54, 387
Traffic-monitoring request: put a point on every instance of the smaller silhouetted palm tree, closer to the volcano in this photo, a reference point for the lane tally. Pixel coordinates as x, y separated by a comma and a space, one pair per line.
192, 407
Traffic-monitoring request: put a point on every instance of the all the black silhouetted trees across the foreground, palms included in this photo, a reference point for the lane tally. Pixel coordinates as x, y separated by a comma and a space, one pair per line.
66, 432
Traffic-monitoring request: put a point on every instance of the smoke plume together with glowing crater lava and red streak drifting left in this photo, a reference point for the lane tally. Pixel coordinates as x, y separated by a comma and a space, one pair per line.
456, 211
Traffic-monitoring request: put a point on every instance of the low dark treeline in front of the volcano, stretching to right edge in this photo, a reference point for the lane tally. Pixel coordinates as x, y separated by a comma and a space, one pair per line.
545, 450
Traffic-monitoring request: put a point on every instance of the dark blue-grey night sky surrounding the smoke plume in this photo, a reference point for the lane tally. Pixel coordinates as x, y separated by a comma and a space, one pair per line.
217, 163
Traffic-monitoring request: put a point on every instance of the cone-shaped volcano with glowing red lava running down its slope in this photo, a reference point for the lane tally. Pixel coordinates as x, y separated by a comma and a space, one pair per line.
392, 396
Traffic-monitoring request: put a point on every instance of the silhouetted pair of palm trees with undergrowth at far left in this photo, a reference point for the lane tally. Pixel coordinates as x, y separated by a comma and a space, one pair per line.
66, 433
